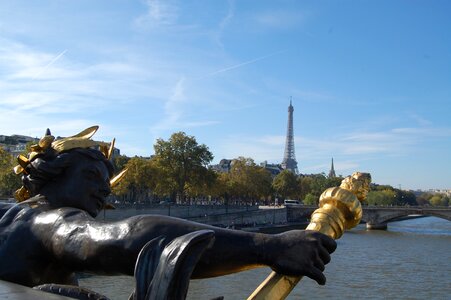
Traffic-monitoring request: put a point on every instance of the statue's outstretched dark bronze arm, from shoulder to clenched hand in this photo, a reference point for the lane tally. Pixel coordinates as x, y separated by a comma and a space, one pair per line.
84, 243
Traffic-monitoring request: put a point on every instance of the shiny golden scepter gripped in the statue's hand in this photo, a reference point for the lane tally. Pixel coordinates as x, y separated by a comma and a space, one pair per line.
339, 209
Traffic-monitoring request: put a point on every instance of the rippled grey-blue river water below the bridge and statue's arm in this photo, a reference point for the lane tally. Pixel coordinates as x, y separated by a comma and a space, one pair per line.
411, 260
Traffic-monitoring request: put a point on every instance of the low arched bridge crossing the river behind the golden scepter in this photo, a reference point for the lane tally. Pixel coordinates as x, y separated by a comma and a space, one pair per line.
375, 217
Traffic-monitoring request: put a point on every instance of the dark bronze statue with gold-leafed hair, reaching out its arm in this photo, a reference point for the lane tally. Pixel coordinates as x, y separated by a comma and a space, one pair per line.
52, 233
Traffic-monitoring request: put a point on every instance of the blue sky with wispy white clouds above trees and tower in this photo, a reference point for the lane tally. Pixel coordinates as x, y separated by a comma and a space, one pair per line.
370, 80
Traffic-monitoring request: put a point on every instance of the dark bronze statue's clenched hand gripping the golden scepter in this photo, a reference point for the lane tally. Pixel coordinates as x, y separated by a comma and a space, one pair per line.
303, 253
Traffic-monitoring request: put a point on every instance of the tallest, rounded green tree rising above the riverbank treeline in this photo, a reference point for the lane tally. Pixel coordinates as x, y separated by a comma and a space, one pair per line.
182, 162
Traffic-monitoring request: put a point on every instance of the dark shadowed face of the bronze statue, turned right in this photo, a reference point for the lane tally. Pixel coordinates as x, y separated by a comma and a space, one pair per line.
84, 185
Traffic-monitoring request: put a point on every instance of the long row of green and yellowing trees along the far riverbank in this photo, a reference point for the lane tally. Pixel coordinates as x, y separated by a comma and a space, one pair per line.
180, 172
